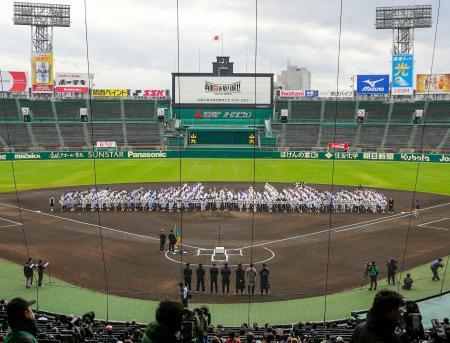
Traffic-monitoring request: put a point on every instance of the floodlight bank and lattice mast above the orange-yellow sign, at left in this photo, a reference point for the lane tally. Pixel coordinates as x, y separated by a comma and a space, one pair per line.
42, 18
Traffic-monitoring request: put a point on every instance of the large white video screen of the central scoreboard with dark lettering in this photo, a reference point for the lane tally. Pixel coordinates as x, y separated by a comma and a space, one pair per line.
222, 90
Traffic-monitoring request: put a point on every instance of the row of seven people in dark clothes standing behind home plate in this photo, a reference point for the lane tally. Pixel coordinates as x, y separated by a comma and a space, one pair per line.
243, 277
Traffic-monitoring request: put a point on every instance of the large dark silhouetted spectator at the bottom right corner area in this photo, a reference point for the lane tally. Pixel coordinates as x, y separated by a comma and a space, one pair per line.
382, 320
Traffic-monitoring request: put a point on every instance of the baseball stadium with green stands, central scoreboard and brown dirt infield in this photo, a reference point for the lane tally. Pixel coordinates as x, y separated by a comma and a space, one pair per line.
117, 192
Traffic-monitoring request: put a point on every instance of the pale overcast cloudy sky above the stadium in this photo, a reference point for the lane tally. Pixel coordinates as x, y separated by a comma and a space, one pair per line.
133, 43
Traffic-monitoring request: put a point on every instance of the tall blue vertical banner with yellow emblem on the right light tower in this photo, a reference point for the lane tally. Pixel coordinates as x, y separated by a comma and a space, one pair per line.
402, 74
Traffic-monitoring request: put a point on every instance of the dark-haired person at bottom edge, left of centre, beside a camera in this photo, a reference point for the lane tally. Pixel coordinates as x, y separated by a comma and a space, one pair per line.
168, 321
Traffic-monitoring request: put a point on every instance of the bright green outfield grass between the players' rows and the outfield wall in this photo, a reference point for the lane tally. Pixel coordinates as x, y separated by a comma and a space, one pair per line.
433, 178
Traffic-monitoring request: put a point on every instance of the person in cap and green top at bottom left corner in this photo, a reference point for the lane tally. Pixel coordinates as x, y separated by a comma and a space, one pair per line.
21, 322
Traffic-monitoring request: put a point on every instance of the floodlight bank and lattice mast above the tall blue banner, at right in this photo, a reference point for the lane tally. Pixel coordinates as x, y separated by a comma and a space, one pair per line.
402, 20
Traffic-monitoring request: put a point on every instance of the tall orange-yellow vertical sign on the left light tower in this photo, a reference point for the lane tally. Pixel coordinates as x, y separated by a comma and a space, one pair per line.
42, 72
